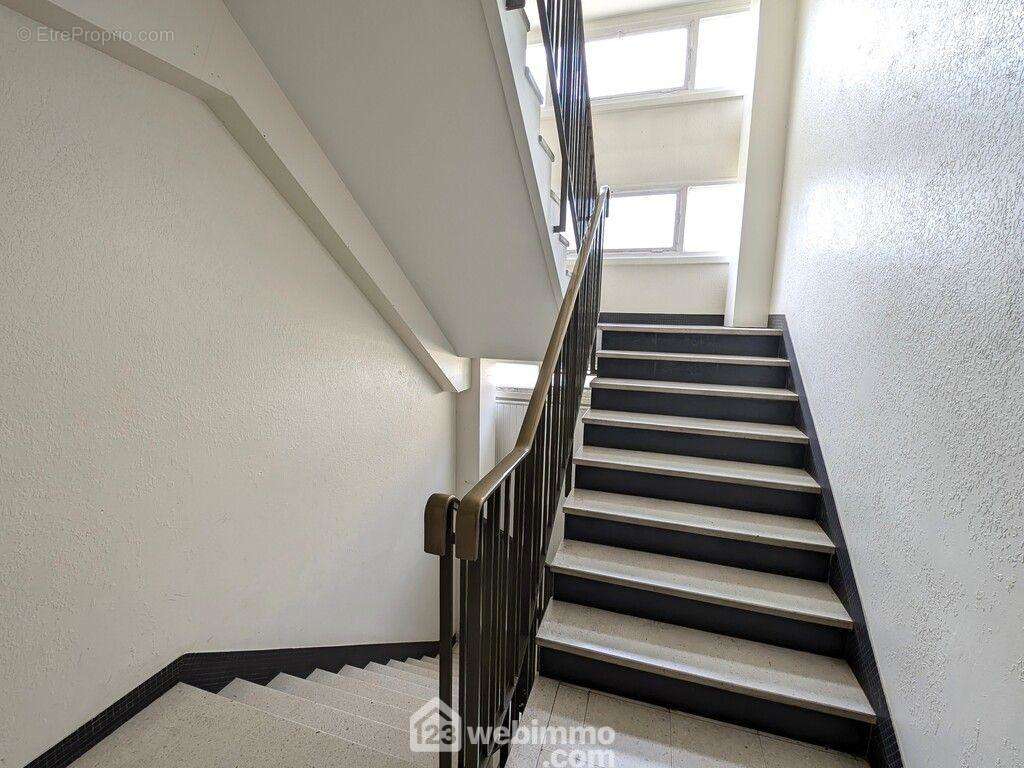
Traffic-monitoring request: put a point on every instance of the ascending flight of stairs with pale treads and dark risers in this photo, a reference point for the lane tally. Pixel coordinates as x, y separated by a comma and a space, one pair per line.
693, 574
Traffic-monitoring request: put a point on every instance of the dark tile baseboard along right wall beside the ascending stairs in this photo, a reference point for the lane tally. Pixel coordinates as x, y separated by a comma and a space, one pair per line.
883, 750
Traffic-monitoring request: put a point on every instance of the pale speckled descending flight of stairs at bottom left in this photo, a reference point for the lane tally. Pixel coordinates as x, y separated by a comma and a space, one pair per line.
358, 718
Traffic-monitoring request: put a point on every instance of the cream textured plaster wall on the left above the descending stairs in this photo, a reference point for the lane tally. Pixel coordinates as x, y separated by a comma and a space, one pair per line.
209, 440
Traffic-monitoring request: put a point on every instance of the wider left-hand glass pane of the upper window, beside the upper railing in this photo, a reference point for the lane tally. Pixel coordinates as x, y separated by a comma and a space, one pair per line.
634, 64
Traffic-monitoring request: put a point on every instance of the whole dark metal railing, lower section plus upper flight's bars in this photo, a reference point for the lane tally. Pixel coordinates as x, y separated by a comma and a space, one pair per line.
501, 530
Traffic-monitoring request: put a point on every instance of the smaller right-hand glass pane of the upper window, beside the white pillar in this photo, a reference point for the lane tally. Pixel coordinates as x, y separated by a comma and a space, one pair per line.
726, 52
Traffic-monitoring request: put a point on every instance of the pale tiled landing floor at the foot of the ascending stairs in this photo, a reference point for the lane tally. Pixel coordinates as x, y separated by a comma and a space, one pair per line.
655, 738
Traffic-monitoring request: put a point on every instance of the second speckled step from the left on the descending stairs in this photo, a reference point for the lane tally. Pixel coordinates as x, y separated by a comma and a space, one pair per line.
353, 729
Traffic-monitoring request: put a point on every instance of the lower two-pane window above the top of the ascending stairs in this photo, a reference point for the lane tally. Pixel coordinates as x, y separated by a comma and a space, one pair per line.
692, 220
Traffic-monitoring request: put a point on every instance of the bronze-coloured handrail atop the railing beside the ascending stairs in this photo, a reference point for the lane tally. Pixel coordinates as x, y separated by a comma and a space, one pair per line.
468, 521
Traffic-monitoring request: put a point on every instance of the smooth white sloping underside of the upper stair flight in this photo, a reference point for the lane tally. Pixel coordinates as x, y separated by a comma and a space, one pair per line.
406, 101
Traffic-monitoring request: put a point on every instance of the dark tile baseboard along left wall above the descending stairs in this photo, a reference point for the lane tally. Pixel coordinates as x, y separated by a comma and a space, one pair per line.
211, 672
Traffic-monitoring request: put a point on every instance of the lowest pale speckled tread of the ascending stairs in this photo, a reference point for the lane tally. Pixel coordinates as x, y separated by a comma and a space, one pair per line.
770, 672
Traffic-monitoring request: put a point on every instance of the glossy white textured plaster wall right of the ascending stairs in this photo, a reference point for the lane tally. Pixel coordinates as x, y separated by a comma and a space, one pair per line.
901, 270
